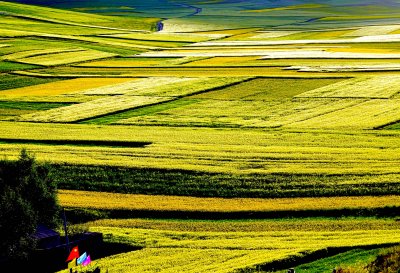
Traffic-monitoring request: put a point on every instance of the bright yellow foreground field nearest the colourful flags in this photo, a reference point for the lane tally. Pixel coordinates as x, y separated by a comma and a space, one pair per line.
222, 251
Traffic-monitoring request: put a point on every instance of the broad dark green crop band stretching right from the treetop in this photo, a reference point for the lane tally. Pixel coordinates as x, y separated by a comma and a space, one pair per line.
189, 183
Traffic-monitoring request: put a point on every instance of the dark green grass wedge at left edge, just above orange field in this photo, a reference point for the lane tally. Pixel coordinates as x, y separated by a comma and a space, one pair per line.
8, 81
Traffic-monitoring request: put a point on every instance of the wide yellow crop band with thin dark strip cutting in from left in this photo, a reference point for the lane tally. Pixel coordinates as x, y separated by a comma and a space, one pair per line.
224, 150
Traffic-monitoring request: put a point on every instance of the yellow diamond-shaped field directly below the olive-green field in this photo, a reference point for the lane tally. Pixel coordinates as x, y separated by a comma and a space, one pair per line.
240, 113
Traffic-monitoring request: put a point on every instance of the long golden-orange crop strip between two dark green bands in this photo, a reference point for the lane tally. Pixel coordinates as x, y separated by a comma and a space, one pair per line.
115, 201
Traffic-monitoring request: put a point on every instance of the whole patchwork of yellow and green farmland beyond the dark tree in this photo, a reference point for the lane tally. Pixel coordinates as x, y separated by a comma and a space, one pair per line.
229, 136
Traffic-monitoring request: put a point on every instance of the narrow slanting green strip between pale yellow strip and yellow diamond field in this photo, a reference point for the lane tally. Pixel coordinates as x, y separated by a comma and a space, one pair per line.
110, 119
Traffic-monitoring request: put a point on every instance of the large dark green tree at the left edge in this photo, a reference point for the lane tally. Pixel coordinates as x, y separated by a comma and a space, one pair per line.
27, 198
